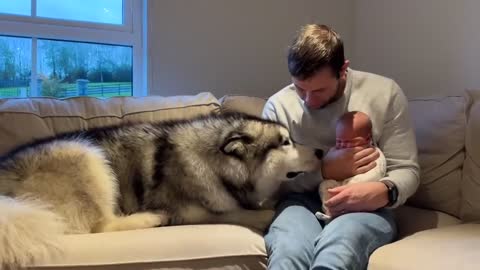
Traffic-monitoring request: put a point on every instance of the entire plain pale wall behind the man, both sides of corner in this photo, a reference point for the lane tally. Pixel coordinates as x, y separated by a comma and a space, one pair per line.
239, 47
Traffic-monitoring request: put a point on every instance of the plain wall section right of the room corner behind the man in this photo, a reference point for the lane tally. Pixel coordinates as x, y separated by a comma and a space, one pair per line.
430, 47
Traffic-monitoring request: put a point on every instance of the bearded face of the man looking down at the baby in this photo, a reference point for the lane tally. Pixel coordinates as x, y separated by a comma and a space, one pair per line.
321, 89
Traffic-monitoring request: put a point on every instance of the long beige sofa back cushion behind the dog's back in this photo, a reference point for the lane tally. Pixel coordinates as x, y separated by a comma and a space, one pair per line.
25, 119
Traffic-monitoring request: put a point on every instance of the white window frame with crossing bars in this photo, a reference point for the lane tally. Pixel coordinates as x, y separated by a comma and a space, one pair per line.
130, 33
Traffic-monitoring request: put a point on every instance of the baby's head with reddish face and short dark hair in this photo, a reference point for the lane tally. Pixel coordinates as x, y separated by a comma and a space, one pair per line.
353, 129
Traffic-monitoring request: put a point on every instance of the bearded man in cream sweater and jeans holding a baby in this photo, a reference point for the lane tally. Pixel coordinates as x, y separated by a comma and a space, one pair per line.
324, 88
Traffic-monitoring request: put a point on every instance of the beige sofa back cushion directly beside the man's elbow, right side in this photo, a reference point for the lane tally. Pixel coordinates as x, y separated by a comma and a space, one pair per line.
439, 125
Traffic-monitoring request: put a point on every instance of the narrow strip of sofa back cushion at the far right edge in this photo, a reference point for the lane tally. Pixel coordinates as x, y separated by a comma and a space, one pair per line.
470, 208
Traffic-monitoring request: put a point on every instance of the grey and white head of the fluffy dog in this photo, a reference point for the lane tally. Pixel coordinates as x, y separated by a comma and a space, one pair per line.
265, 151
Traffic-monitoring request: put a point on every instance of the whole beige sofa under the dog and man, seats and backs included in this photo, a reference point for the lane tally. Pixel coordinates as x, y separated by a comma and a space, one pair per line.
445, 237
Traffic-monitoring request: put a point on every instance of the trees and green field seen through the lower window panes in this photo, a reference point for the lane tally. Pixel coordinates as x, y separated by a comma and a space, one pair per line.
64, 67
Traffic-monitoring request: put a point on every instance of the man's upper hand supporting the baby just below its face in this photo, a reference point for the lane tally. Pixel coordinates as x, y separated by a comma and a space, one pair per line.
340, 164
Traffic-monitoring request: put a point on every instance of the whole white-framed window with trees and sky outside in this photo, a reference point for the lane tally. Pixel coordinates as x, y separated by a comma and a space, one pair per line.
67, 48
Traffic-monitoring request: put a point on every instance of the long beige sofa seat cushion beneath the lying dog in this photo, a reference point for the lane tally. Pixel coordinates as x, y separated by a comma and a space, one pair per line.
179, 247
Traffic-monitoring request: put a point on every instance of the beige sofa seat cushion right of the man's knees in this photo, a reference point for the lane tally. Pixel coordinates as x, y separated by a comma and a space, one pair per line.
452, 247
